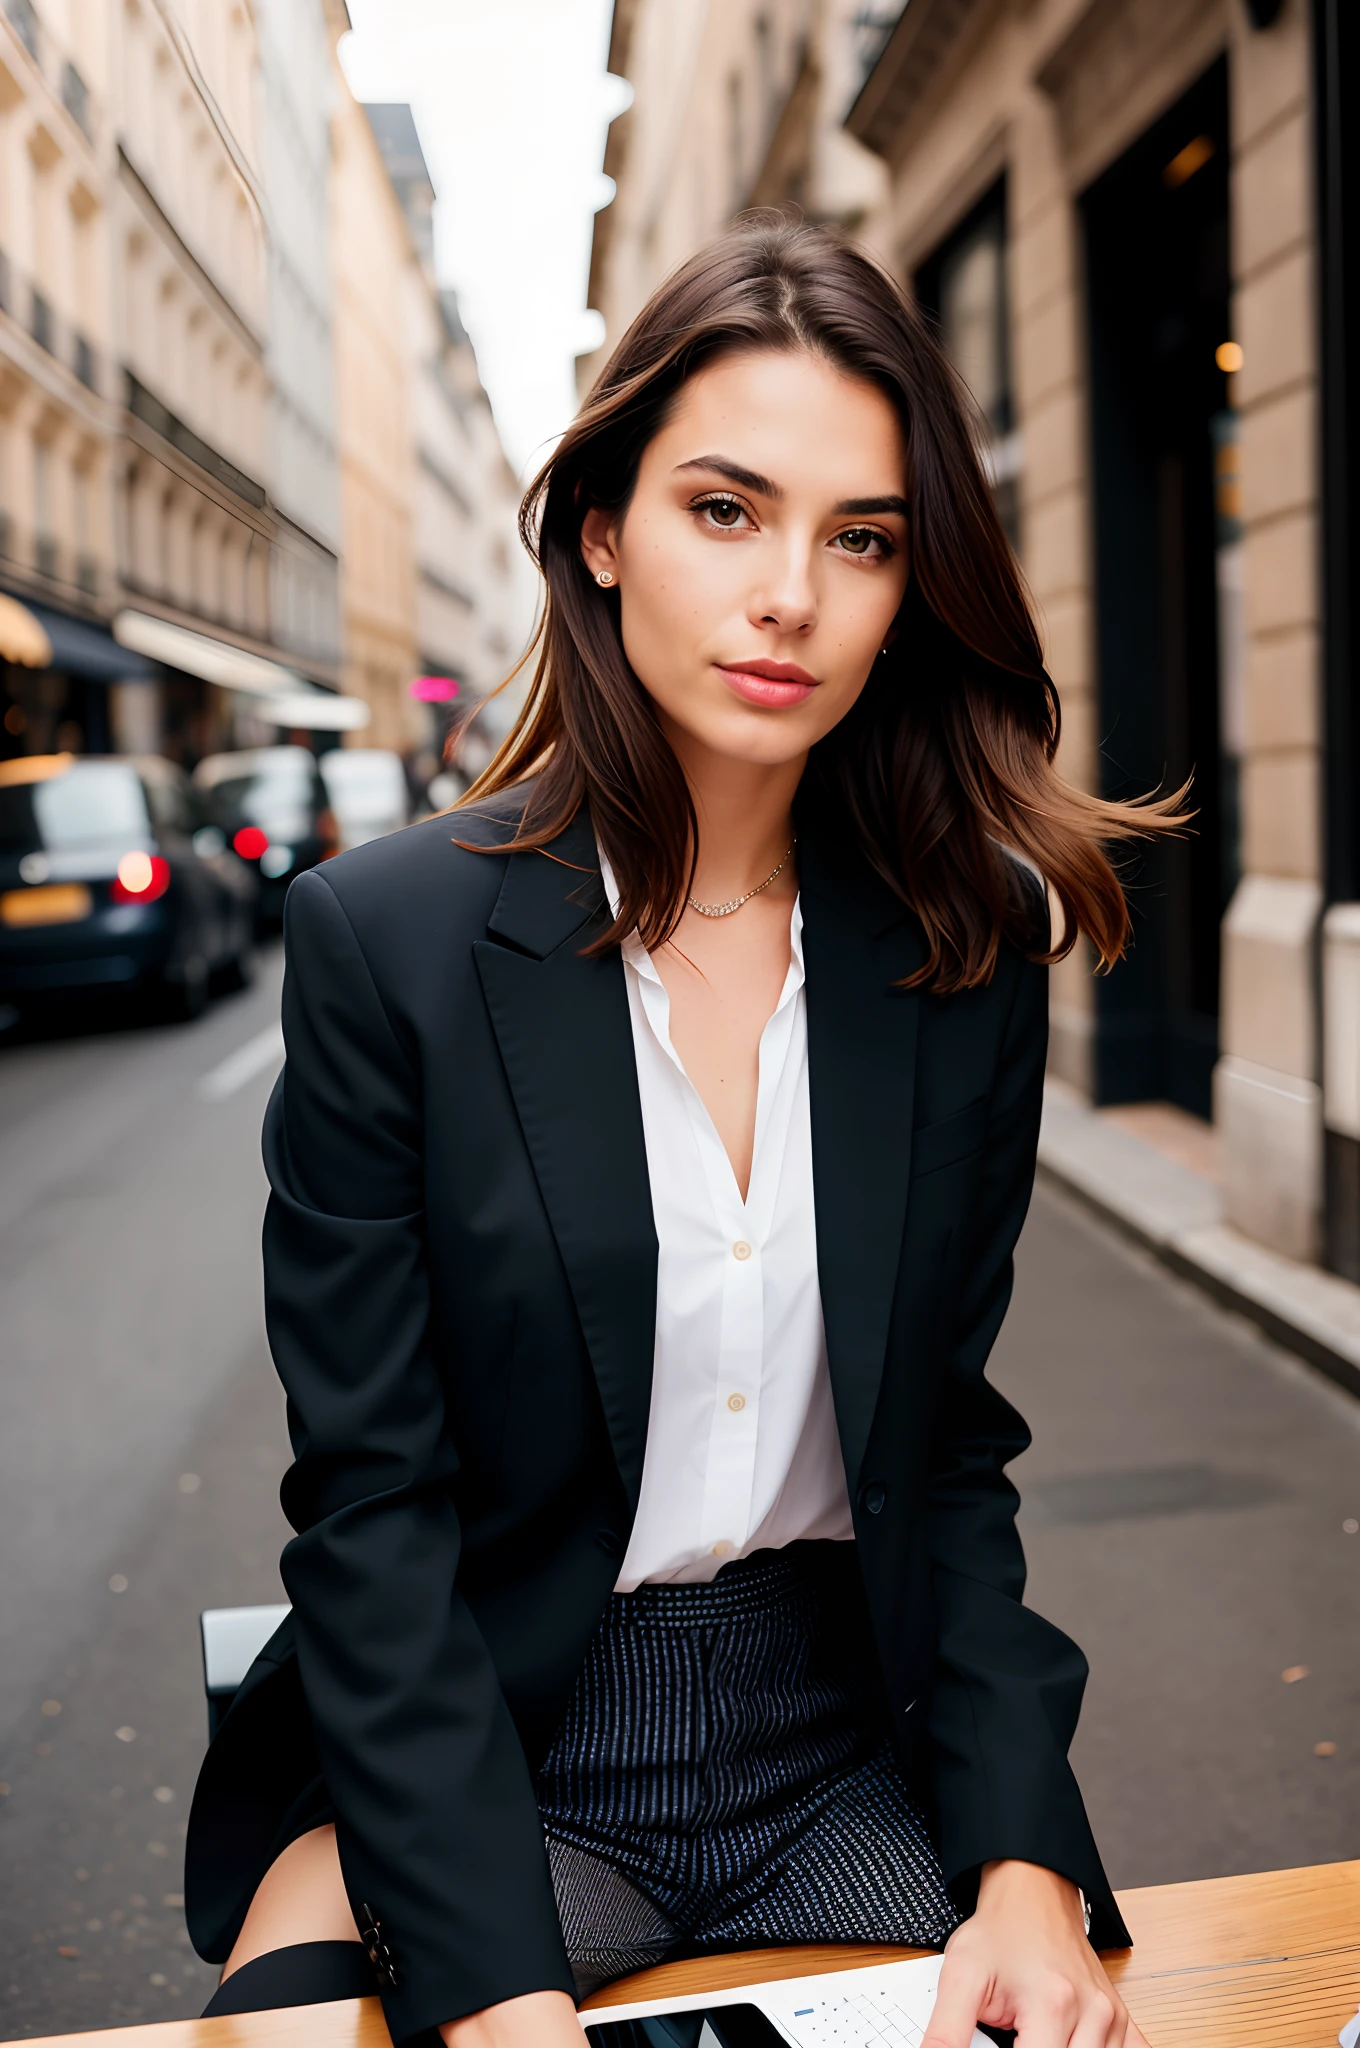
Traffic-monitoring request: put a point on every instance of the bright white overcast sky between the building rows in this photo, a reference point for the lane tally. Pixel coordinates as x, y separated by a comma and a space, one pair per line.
511, 99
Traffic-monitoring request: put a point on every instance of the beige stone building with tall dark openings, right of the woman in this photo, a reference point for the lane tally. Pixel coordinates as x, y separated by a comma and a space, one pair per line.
1113, 212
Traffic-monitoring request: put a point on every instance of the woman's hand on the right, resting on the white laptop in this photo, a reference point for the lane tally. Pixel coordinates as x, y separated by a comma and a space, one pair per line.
1025, 1963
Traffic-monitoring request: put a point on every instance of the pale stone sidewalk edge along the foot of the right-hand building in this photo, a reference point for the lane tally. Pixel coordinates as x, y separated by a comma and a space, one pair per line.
1177, 1213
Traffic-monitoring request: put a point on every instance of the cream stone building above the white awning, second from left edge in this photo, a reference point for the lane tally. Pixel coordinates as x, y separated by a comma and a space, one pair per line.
192, 318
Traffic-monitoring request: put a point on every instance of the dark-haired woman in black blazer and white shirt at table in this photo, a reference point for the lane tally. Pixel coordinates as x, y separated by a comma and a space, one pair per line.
646, 1172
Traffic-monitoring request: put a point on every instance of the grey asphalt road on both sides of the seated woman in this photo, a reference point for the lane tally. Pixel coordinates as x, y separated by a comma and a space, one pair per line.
1185, 1512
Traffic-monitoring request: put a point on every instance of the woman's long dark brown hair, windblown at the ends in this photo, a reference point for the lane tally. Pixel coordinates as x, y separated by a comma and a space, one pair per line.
947, 757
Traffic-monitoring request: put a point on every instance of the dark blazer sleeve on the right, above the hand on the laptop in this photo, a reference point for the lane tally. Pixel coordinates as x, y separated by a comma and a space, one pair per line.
1009, 1687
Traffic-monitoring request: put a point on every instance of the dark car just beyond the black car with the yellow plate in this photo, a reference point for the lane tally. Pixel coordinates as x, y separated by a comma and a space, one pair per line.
273, 810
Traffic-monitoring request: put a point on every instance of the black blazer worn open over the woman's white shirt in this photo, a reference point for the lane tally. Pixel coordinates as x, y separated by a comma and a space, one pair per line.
460, 1269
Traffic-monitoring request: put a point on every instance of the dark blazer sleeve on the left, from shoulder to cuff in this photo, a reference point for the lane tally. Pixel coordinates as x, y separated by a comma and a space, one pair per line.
435, 1807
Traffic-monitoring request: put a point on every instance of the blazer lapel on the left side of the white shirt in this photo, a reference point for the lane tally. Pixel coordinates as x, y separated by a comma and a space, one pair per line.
566, 1041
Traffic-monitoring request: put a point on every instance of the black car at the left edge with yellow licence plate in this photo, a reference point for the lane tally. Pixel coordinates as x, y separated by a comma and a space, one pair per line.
112, 880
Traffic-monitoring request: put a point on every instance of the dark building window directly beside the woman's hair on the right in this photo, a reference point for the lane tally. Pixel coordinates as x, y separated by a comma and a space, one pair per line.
964, 288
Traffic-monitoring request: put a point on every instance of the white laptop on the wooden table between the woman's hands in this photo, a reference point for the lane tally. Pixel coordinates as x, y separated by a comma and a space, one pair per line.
882, 2006
